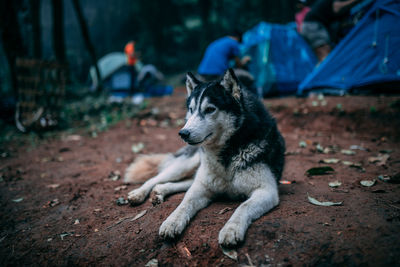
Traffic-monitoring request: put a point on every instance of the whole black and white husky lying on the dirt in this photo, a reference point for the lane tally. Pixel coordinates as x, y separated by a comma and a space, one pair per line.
234, 149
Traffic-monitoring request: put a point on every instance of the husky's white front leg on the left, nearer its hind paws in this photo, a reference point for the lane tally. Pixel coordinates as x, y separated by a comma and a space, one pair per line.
197, 198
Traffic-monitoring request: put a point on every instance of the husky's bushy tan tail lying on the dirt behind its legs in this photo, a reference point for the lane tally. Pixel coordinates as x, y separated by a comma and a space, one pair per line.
145, 167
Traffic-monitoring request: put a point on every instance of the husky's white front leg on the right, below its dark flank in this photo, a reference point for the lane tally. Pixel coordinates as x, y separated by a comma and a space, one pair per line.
260, 202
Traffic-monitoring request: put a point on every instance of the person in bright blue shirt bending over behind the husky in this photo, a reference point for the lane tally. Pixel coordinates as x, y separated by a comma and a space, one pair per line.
218, 54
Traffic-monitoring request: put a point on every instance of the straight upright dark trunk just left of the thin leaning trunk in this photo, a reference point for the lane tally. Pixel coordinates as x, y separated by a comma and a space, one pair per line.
58, 30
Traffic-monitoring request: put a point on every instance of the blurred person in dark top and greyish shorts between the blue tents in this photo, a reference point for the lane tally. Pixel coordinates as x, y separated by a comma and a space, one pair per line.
317, 23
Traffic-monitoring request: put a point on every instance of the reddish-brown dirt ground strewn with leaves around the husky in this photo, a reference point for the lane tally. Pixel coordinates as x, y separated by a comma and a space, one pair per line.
58, 201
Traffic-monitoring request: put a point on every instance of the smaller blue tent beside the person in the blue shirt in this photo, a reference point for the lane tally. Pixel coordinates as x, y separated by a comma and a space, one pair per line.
281, 58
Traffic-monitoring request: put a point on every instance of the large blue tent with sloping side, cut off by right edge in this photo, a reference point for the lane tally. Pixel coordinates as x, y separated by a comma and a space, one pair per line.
368, 55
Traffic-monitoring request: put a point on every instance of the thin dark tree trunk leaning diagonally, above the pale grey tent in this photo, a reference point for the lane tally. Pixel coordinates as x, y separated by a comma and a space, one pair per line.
86, 37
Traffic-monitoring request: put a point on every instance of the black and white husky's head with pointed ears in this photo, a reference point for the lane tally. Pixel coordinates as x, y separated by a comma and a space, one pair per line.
214, 110
